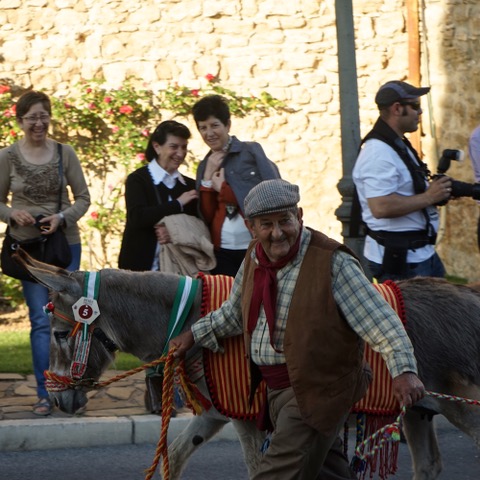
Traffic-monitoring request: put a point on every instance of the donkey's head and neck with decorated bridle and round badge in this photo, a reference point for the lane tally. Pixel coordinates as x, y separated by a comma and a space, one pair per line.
134, 311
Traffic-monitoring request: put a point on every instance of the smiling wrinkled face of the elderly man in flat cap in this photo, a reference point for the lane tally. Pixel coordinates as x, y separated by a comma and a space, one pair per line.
277, 232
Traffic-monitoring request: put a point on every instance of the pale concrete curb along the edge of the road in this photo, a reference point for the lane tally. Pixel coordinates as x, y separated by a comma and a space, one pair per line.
49, 433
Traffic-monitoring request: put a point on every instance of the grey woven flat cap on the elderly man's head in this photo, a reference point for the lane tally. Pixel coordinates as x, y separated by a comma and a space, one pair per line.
271, 196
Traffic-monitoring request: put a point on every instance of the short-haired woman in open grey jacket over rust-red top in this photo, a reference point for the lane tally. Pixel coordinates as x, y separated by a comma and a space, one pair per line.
224, 177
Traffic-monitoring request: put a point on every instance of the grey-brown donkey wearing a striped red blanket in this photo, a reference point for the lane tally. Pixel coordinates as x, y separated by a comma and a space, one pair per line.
443, 323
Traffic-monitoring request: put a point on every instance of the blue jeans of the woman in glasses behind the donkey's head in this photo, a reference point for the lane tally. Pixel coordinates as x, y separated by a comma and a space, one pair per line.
36, 297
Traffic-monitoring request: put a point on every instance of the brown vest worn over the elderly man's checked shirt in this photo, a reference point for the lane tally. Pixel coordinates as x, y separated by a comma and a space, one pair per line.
324, 355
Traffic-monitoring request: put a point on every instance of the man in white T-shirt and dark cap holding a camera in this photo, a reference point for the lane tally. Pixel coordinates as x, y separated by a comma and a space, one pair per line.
397, 199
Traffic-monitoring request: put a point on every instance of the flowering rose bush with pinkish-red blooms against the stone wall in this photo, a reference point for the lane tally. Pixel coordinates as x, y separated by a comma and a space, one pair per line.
109, 129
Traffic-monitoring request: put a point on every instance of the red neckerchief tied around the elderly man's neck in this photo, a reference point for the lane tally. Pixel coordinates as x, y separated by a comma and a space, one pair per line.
265, 287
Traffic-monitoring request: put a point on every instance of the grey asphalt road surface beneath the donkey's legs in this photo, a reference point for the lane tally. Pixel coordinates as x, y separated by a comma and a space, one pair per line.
216, 460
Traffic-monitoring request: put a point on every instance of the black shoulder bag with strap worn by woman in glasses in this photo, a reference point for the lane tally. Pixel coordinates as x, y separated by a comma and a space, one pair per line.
52, 249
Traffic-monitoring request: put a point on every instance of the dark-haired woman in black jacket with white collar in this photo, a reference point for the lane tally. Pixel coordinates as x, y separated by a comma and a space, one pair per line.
155, 191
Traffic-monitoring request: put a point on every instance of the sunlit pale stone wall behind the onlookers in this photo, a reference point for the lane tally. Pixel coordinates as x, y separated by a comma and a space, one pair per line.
285, 47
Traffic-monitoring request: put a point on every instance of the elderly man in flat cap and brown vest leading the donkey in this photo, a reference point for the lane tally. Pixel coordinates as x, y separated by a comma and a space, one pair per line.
305, 307
